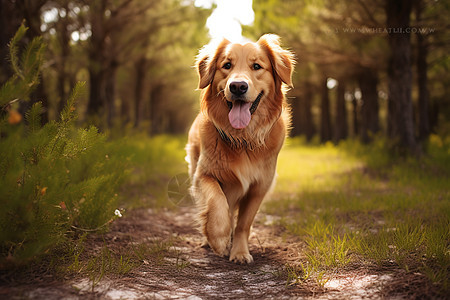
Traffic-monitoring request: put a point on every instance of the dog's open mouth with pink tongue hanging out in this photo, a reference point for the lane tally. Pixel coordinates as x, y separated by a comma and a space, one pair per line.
241, 112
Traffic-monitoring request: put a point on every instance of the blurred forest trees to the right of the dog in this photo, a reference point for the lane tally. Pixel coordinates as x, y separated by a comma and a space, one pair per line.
365, 68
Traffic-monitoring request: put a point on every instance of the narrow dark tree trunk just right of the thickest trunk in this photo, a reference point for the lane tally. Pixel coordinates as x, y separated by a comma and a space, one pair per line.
422, 79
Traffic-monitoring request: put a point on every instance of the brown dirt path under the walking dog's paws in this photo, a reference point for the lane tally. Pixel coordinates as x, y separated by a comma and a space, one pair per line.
188, 271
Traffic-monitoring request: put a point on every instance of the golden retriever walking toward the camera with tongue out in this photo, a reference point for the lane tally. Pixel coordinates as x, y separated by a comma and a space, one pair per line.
235, 140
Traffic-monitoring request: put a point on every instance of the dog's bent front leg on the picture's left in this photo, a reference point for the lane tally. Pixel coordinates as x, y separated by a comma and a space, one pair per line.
214, 216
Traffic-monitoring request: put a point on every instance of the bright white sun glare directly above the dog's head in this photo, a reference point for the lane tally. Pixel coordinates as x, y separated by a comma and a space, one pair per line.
227, 18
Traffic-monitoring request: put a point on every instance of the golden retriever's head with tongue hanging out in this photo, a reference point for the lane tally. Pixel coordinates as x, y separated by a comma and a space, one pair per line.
243, 83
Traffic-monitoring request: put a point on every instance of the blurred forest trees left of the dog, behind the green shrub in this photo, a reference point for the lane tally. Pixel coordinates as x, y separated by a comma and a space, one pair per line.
136, 56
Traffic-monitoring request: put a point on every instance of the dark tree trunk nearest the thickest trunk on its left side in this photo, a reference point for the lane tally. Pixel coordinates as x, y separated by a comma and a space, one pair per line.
368, 81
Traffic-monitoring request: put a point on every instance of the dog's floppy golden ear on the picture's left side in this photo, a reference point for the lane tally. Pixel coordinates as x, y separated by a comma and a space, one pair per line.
207, 61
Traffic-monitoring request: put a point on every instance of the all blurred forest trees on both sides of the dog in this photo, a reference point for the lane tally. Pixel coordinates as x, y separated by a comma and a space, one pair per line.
365, 68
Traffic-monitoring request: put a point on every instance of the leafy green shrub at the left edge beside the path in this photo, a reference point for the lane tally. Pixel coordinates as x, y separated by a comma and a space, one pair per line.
53, 179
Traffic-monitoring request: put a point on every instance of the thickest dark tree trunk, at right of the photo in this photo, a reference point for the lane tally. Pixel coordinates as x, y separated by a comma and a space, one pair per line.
400, 77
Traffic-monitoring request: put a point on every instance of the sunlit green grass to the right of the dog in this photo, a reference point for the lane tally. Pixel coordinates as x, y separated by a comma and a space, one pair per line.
353, 204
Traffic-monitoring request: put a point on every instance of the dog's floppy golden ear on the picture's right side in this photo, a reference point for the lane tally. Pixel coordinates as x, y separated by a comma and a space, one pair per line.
282, 60
